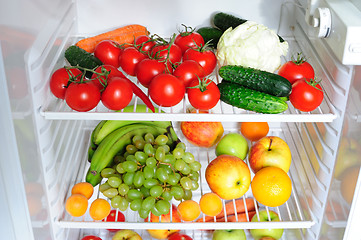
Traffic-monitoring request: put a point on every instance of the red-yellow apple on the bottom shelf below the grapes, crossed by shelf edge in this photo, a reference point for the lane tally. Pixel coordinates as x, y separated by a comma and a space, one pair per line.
164, 233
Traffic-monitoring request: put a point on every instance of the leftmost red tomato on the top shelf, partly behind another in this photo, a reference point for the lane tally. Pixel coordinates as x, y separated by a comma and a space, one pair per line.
60, 78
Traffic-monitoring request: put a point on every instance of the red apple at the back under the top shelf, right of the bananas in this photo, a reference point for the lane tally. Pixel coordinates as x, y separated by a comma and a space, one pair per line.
202, 134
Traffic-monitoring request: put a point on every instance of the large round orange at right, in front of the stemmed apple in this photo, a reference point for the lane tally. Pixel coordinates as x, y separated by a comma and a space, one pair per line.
271, 186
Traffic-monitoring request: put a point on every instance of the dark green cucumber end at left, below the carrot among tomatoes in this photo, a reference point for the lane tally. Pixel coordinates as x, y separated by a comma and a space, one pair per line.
77, 56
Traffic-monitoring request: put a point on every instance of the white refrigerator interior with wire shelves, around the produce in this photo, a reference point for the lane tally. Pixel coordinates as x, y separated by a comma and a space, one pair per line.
52, 140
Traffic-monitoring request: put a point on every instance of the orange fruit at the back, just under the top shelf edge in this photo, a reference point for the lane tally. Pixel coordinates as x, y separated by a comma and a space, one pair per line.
254, 131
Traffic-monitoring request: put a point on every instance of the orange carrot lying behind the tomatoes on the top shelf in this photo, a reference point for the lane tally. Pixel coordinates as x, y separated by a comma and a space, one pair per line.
121, 35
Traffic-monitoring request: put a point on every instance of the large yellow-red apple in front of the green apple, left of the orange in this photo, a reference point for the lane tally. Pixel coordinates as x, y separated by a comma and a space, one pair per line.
228, 176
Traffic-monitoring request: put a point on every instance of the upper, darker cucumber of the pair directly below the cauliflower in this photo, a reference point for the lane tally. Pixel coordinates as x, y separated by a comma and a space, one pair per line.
255, 79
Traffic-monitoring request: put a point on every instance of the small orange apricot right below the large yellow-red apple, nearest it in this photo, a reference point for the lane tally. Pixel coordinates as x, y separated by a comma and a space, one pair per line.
211, 204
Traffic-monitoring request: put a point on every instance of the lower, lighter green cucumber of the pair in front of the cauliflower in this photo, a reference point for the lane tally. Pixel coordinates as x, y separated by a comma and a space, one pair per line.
248, 99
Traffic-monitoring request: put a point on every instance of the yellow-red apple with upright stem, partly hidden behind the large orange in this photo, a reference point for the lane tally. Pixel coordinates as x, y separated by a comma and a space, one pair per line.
270, 151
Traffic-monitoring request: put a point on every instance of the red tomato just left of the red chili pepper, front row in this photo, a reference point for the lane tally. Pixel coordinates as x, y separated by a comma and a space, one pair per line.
118, 93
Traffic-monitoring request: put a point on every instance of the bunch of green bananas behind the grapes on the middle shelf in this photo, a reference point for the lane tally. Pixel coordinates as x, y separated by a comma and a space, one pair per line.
110, 137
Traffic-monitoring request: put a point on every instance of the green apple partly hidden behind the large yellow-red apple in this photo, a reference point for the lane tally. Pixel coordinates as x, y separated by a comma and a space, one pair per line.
232, 144
